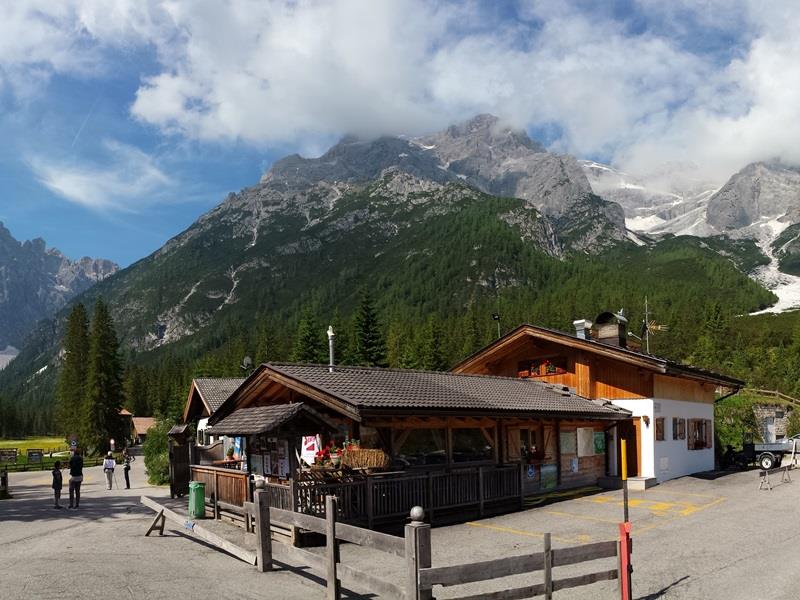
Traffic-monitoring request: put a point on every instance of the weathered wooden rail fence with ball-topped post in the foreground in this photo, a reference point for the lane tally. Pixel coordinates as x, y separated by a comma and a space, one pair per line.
414, 548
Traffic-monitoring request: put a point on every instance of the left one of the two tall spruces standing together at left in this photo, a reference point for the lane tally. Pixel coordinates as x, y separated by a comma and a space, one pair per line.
71, 387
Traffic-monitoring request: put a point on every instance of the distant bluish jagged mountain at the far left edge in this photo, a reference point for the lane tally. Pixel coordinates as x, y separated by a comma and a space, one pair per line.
35, 282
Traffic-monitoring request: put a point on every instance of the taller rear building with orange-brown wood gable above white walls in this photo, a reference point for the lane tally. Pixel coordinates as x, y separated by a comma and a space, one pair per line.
671, 429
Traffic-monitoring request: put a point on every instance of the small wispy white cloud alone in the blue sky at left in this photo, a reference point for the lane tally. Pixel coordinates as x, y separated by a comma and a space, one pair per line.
129, 181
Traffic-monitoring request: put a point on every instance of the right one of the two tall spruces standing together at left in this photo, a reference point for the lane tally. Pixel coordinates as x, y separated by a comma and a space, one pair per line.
104, 395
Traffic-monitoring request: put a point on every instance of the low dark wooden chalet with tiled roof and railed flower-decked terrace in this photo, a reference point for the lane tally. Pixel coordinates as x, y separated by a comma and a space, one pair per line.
451, 441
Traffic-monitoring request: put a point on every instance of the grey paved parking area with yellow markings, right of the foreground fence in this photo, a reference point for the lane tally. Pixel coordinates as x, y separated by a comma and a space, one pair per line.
693, 538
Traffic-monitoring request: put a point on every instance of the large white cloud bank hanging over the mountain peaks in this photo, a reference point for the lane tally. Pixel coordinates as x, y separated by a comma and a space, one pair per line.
271, 72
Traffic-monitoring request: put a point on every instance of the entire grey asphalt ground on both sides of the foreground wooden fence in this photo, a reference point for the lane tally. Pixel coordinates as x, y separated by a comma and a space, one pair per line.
693, 539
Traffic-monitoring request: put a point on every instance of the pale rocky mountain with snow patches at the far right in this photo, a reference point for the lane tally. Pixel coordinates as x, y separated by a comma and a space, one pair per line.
760, 203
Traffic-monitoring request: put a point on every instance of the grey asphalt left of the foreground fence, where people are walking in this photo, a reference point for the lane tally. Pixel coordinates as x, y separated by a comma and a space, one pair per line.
99, 550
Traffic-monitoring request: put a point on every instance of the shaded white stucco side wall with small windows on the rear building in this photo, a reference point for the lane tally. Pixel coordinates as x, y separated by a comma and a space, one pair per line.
672, 457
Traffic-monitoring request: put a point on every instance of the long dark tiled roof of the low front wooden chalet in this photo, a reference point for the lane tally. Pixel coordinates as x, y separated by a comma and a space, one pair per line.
372, 388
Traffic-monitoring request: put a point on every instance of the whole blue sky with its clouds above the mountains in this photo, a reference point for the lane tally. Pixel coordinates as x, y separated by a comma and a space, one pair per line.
123, 123
